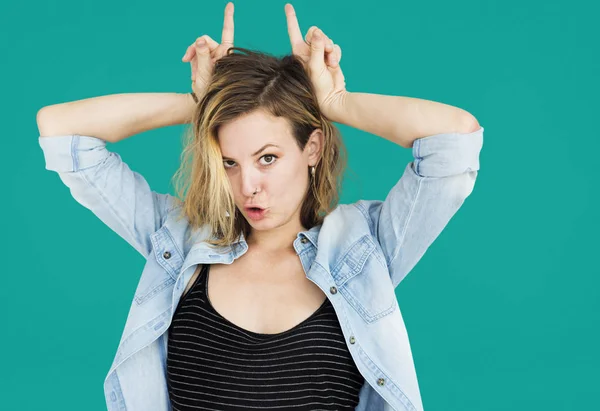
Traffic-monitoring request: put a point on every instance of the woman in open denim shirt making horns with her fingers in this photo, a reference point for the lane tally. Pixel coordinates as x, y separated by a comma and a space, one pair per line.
259, 291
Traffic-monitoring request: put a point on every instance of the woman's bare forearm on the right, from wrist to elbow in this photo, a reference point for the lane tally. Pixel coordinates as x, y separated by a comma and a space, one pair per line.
400, 119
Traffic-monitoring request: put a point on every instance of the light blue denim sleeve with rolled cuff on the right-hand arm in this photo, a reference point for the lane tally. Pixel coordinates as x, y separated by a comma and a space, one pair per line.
431, 190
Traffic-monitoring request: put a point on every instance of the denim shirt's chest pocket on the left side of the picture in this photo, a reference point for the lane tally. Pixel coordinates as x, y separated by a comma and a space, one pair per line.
162, 267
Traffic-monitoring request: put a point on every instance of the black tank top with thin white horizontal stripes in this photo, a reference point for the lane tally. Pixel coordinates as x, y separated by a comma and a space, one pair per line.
212, 364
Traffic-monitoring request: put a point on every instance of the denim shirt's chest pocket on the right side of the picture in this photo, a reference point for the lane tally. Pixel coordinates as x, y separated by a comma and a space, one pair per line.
363, 279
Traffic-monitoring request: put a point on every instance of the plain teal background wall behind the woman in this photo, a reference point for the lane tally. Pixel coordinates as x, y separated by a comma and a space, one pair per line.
503, 309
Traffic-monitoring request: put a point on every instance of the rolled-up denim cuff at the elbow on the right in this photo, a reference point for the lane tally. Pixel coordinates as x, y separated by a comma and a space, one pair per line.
446, 154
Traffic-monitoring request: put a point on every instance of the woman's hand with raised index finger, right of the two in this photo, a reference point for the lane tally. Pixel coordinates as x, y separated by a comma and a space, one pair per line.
322, 58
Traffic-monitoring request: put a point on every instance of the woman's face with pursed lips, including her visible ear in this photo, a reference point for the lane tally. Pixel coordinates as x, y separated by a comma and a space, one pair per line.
260, 154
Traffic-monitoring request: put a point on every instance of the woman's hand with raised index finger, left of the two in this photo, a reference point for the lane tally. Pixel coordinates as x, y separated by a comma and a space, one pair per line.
204, 52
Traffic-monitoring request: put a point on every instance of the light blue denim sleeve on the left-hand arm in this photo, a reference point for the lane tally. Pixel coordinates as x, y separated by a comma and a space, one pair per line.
99, 180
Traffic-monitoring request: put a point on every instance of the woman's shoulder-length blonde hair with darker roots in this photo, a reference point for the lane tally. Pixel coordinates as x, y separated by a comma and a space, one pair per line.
242, 83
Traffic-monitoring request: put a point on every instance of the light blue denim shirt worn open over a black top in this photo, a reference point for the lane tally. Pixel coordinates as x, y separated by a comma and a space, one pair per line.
357, 257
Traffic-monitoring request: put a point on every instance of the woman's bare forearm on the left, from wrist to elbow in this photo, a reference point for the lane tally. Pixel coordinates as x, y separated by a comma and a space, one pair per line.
115, 117
